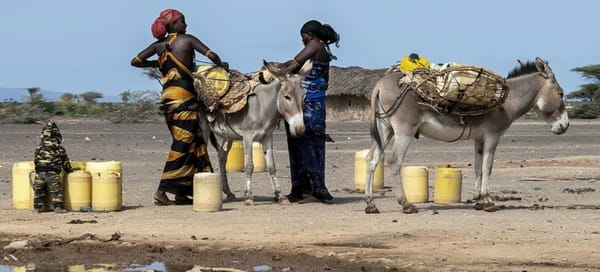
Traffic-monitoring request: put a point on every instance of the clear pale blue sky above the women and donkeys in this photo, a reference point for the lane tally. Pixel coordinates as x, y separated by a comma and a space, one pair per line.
86, 45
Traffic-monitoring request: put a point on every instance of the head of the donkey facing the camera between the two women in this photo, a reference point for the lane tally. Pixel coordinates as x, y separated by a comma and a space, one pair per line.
290, 97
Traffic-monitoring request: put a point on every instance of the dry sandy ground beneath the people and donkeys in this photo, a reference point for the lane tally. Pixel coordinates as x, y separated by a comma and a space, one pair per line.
550, 220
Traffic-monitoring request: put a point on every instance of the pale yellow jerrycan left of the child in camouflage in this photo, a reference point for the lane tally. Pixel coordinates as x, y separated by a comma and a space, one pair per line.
23, 175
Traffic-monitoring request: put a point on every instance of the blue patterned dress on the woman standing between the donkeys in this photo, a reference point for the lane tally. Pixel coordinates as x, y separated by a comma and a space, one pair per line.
307, 152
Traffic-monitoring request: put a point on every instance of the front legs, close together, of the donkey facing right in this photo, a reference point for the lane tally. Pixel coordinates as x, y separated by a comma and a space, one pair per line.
486, 201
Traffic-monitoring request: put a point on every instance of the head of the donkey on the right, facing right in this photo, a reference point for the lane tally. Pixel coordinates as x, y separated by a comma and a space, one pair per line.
550, 104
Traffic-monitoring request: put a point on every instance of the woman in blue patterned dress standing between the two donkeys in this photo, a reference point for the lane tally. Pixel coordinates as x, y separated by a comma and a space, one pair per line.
307, 152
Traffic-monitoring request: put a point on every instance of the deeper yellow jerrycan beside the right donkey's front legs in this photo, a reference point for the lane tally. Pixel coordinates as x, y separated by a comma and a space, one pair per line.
448, 185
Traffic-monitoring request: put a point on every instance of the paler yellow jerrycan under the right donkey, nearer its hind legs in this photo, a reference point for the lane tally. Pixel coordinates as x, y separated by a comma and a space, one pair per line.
415, 182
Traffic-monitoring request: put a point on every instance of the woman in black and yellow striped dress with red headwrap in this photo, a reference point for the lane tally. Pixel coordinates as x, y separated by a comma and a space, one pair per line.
179, 103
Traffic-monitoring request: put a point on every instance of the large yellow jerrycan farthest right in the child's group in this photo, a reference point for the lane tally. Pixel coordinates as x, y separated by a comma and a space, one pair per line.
106, 185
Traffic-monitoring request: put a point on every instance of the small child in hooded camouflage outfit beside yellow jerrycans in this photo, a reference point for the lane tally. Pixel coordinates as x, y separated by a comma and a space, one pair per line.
50, 158
